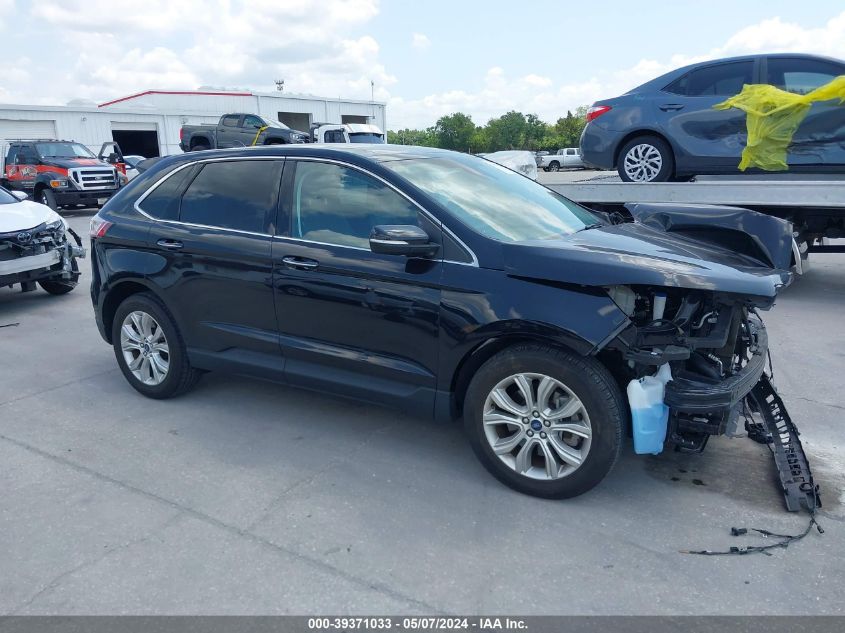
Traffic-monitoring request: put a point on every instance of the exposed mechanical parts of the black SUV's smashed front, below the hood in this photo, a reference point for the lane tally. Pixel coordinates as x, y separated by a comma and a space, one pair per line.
716, 346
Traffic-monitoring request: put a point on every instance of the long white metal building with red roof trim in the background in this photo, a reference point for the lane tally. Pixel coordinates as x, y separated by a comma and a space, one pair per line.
147, 123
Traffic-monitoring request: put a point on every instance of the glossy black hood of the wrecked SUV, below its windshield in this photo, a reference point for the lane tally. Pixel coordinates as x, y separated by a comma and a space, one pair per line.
635, 254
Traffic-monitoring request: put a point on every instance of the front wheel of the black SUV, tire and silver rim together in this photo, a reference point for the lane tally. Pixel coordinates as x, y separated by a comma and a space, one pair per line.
571, 443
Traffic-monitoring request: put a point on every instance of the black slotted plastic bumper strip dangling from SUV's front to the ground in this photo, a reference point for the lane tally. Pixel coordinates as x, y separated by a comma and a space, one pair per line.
769, 423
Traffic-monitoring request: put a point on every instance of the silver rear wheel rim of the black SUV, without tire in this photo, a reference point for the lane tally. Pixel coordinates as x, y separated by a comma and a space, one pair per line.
145, 348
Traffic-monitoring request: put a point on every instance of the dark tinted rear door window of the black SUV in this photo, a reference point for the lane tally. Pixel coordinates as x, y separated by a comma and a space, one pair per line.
234, 195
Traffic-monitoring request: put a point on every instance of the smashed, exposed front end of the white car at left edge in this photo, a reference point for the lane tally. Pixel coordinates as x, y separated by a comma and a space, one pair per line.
41, 254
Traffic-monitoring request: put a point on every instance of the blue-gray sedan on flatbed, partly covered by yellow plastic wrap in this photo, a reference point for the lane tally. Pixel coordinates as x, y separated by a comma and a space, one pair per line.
667, 128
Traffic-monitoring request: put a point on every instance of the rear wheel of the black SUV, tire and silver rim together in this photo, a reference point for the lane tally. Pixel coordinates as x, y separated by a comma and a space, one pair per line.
149, 348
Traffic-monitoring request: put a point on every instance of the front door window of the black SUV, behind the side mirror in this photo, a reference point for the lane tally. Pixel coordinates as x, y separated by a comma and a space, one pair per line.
340, 205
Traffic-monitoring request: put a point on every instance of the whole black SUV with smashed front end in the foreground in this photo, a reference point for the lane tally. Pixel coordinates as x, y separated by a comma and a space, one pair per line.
442, 284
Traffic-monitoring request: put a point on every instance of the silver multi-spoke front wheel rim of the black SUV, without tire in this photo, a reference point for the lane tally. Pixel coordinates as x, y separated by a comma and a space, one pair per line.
537, 426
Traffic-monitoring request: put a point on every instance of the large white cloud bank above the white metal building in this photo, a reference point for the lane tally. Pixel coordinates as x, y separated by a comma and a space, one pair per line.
311, 44
